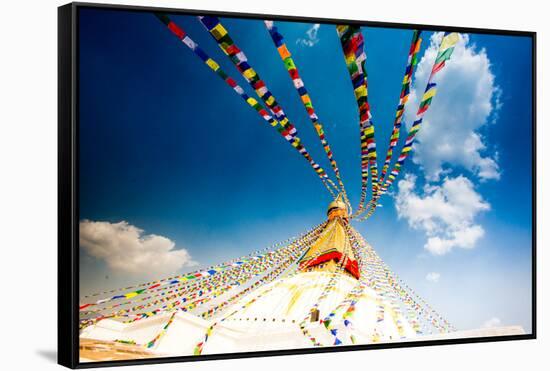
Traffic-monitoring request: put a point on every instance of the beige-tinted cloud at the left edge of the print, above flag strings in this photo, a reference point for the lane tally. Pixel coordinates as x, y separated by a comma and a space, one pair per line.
126, 249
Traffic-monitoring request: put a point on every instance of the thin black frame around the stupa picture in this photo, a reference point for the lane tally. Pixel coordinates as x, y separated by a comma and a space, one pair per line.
68, 187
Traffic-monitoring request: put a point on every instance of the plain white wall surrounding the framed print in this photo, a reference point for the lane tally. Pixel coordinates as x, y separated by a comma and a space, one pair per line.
28, 181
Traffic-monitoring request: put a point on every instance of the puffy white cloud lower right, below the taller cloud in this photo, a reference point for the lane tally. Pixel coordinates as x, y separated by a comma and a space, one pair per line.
444, 212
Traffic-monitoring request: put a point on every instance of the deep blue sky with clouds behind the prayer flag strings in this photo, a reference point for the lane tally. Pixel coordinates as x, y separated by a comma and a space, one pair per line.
168, 148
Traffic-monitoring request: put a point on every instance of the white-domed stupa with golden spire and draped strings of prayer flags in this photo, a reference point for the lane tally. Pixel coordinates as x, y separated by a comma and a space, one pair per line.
326, 288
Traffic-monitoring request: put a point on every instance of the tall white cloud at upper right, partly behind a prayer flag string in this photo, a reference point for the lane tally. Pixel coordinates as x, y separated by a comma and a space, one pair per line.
467, 100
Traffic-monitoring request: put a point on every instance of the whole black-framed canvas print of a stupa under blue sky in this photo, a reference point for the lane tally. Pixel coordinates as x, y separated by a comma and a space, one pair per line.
238, 185
